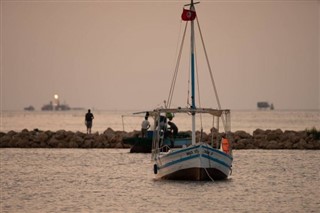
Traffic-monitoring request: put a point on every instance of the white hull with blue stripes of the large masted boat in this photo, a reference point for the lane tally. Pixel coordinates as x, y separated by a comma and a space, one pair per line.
196, 162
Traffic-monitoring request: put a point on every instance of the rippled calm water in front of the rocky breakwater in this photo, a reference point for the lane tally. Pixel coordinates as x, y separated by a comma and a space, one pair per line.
113, 180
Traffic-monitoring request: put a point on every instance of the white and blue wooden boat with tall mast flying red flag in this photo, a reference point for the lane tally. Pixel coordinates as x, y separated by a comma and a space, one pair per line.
199, 161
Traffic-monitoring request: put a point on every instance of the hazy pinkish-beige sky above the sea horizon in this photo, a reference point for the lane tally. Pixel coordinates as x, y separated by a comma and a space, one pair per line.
122, 54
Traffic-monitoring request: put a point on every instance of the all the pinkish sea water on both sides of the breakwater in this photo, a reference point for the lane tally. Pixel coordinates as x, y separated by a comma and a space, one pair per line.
114, 180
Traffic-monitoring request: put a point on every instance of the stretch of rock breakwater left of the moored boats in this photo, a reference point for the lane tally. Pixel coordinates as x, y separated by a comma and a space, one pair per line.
62, 139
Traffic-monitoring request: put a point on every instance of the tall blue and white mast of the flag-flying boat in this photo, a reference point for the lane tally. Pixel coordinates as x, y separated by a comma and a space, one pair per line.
193, 103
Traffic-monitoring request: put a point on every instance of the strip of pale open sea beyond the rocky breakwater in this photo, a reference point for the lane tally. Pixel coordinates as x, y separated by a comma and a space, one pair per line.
74, 120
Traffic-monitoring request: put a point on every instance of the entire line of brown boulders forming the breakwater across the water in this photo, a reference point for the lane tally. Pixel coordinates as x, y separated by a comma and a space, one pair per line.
260, 139
